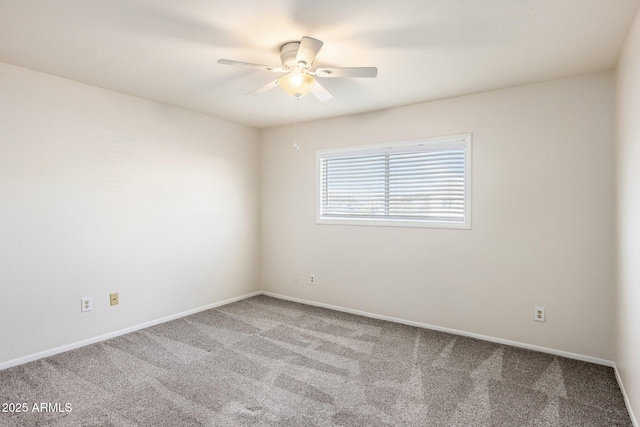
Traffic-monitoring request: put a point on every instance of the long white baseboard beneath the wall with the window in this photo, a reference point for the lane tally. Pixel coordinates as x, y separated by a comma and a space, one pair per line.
451, 331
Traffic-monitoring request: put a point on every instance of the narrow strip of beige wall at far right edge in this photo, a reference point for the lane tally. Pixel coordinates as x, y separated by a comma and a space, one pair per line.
628, 186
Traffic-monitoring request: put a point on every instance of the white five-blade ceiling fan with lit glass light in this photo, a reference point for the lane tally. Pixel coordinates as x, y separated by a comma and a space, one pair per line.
297, 59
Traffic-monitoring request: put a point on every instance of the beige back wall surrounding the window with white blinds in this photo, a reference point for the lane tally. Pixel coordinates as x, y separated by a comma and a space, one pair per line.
542, 221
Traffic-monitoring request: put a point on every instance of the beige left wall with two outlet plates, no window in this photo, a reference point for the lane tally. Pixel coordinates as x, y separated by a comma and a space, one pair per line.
102, 192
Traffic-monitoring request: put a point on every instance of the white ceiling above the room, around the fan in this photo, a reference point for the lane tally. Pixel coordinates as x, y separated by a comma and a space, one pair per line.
166, 50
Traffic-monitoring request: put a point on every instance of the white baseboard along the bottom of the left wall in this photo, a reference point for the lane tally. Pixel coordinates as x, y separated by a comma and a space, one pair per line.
72, 346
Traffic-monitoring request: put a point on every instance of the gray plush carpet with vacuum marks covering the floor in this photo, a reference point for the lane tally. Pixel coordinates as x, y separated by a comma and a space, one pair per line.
268, 362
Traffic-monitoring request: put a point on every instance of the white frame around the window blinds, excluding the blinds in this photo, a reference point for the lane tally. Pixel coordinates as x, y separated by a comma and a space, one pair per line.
432, 143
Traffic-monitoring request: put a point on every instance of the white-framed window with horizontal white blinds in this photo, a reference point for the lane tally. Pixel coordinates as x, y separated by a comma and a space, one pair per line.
423, 183
